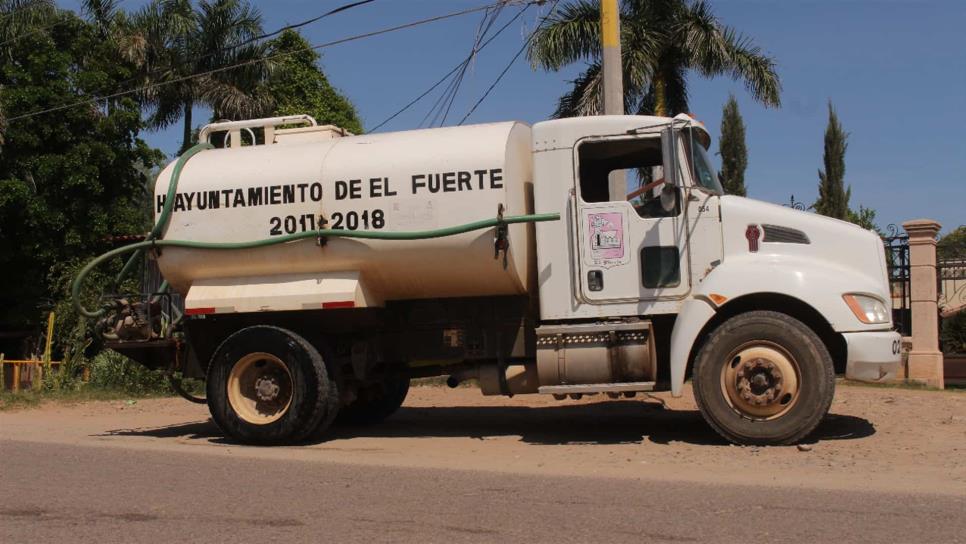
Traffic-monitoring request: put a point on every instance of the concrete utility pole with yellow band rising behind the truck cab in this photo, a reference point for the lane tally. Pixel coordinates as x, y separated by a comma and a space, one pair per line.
610, 38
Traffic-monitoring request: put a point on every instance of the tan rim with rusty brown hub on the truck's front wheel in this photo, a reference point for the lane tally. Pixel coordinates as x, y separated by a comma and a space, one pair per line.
760, 380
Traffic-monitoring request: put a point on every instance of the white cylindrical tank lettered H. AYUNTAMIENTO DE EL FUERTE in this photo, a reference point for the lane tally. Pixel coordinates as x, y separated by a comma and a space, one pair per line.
404, 181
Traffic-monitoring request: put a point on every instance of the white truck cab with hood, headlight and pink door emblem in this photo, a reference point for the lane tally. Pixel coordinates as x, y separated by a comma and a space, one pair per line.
666, 243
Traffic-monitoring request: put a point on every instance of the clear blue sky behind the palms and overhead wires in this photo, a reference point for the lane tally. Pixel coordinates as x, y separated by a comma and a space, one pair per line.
894, 69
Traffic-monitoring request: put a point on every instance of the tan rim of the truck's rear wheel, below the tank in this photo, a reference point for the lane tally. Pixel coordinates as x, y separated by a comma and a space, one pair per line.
260, 388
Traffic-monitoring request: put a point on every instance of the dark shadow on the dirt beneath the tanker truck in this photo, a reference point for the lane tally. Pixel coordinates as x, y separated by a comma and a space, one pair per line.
621, 422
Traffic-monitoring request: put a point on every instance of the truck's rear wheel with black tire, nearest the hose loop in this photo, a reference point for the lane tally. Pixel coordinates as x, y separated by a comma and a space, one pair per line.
312, 396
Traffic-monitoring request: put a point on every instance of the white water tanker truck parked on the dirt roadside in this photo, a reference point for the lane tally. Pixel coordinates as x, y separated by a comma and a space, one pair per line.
322, 271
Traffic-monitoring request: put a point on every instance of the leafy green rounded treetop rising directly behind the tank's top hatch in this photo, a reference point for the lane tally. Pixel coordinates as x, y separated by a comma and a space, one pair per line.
298, 85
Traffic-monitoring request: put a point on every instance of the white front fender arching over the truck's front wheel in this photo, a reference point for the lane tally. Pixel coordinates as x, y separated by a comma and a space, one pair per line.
819, 284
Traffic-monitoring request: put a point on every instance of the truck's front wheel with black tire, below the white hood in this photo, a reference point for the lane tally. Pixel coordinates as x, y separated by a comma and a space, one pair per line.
720, 400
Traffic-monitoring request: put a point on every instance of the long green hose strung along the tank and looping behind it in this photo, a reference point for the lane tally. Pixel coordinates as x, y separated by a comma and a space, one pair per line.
138, 248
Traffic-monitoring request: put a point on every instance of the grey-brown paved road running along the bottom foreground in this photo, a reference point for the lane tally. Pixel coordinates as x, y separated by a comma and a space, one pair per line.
53, 492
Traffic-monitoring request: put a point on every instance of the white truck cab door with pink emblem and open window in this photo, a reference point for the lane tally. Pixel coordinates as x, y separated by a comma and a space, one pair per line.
630, 246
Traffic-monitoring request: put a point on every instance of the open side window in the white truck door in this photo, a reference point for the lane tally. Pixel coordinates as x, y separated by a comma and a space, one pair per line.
641, 161
